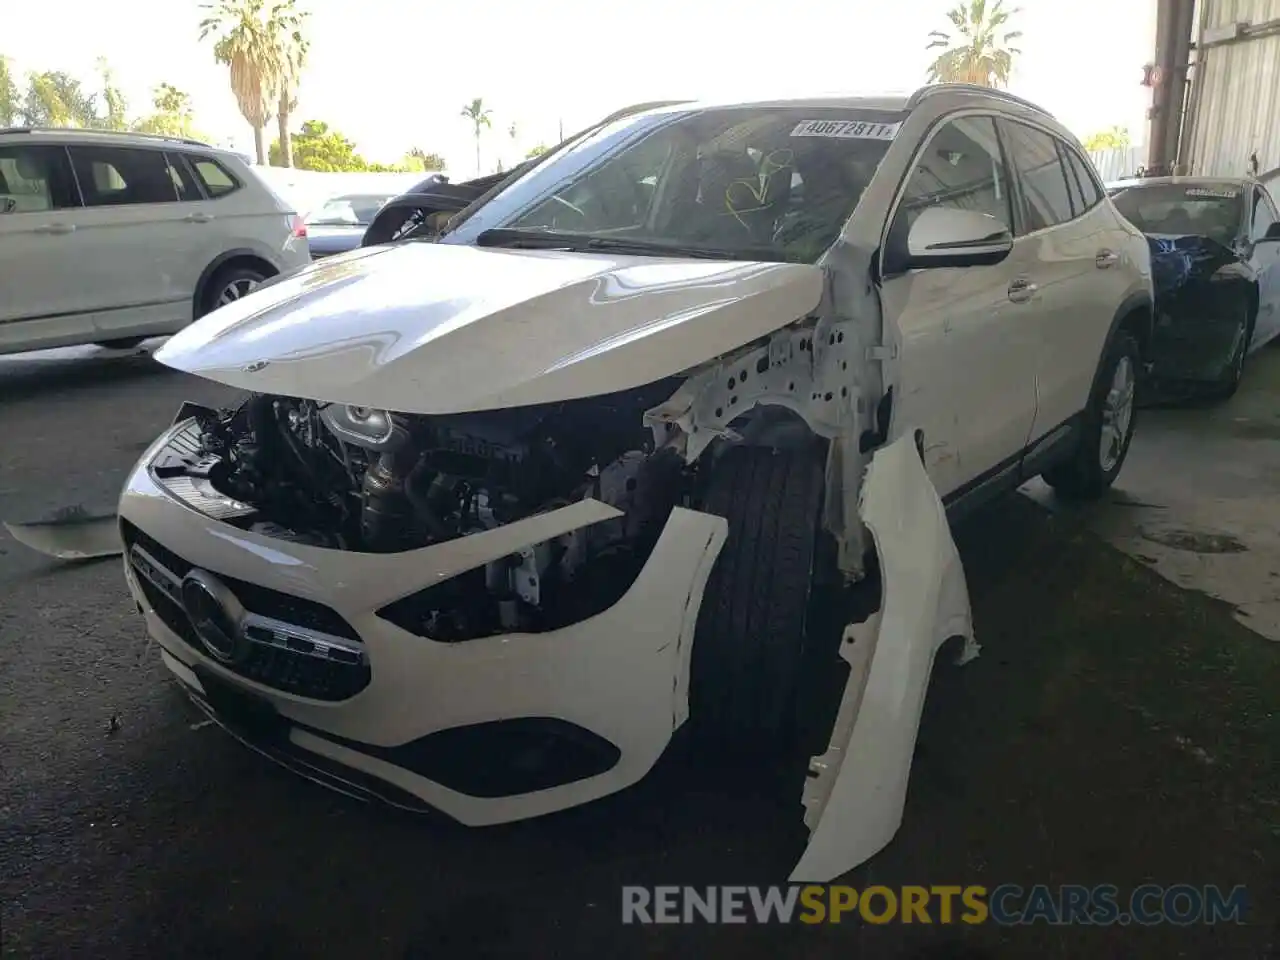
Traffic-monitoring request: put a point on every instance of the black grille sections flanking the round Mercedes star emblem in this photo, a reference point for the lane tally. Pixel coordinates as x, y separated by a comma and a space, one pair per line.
287, 650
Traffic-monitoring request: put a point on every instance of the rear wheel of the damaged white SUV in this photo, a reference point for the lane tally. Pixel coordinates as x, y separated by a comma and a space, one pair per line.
1108, 428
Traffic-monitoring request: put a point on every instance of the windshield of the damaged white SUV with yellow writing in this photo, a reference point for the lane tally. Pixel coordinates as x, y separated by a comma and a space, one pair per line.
756, 184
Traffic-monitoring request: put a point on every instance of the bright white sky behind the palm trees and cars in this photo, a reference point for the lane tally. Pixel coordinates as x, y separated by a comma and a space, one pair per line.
396, 74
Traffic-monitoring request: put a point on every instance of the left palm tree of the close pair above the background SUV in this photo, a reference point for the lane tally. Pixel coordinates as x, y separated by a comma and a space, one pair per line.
246, 43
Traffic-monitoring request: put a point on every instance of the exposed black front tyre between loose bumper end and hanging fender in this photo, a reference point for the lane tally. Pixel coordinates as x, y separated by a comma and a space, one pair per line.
752, 624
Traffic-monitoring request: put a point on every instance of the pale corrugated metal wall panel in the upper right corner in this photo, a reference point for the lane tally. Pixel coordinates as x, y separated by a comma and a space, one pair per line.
1237, 107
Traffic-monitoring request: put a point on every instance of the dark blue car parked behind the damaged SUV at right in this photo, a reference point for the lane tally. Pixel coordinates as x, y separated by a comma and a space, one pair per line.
1215, 257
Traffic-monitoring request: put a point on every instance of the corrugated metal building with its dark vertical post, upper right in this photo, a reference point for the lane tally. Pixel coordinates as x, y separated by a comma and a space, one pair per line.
1232, 120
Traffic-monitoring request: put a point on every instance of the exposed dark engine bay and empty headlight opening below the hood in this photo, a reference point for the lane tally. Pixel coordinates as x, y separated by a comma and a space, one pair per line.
355, 479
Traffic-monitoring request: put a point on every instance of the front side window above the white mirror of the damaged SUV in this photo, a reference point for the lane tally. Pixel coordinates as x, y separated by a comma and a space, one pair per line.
961, 168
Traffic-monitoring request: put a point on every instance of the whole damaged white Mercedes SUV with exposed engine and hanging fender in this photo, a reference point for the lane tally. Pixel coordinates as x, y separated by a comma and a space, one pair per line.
505, 508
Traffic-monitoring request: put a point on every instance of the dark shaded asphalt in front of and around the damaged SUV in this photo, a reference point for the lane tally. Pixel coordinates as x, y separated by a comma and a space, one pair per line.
1117, 729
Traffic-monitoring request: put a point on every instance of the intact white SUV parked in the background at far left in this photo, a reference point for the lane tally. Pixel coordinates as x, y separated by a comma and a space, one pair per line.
116, 237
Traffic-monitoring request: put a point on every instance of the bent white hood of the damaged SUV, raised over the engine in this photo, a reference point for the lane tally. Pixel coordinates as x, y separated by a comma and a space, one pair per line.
438, 328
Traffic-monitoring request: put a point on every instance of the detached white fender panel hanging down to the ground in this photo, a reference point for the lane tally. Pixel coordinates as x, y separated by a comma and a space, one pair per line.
854, 803
